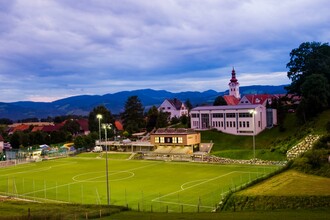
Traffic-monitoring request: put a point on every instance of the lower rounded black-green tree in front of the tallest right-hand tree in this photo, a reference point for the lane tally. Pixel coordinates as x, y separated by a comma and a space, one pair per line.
315, 95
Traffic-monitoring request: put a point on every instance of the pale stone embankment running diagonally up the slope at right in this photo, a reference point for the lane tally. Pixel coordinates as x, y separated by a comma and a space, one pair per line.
302, 147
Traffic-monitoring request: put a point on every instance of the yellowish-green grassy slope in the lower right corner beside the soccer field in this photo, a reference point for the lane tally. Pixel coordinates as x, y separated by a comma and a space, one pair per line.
288, 190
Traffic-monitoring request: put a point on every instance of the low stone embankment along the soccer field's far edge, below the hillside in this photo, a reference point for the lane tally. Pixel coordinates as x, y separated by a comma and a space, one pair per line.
221, 160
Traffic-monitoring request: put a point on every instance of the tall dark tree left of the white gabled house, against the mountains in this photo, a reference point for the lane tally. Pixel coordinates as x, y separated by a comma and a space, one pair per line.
132, 116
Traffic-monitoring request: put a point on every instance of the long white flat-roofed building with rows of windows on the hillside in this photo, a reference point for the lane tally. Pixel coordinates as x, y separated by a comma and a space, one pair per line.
237, 120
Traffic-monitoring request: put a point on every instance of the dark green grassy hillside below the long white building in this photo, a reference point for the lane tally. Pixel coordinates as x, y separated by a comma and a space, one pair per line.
271, 144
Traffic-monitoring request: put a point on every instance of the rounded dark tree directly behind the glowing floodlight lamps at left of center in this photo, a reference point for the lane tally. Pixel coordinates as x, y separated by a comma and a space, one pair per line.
93, 122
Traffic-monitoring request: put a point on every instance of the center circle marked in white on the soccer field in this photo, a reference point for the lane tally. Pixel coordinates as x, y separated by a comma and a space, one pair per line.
80, 177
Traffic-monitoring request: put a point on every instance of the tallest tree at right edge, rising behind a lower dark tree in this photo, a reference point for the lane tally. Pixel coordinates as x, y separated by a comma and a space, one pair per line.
310, 58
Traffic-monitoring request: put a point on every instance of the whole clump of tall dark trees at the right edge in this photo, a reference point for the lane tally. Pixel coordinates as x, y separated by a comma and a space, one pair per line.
309, 70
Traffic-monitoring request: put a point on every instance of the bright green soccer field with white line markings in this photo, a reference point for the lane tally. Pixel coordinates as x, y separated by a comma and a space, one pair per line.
141, 185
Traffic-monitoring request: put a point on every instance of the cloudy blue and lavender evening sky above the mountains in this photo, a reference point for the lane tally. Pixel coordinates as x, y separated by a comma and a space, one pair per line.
51, 49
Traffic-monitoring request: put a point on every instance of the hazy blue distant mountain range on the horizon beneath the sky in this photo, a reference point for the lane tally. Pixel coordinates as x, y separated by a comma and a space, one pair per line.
83, 104
